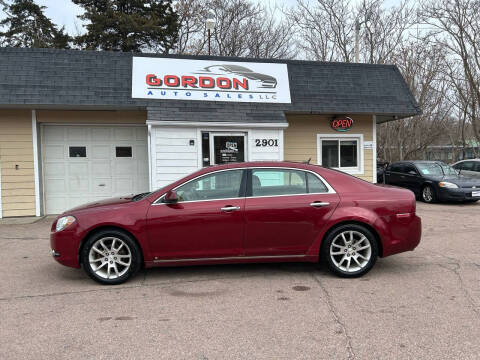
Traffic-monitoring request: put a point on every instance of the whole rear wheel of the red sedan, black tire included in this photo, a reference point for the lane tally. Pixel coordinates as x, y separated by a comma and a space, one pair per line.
350, 250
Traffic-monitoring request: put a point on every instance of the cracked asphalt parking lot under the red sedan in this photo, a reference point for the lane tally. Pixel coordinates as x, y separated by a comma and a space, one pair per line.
417, 305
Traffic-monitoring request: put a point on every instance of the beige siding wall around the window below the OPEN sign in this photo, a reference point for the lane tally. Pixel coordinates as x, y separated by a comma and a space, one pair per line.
300, 138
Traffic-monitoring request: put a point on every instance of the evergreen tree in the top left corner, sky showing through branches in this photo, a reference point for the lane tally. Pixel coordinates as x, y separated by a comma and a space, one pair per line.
27, 26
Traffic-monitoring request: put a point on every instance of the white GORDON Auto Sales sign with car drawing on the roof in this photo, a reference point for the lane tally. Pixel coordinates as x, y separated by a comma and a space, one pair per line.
208, 80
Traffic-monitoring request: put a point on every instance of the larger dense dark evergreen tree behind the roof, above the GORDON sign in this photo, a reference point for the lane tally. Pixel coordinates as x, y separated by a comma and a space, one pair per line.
129, 25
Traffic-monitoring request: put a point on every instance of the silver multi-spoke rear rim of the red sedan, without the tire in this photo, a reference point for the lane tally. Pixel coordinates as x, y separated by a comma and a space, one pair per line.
350, 251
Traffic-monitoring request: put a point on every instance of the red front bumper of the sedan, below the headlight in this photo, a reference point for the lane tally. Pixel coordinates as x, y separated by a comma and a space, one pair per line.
63, 248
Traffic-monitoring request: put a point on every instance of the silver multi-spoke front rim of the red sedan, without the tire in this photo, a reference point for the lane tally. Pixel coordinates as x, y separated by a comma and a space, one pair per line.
110, 257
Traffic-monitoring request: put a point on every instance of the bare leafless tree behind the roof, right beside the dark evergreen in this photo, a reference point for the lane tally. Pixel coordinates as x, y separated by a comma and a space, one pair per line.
243, 28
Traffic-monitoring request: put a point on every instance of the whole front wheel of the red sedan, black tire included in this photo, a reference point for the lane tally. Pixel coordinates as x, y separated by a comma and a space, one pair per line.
111, 257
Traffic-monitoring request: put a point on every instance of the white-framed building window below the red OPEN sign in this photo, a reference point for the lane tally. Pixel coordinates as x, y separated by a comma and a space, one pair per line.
341, 152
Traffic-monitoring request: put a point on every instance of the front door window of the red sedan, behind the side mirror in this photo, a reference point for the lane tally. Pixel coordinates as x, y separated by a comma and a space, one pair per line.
219, 185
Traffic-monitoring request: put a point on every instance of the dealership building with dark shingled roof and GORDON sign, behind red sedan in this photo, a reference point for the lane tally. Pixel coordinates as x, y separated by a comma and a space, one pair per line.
79, 126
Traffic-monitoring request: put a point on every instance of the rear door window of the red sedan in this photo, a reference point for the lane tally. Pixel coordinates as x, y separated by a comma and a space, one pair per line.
272, 182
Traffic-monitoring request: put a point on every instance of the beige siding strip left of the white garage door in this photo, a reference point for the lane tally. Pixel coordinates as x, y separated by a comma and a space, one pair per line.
16, 148
